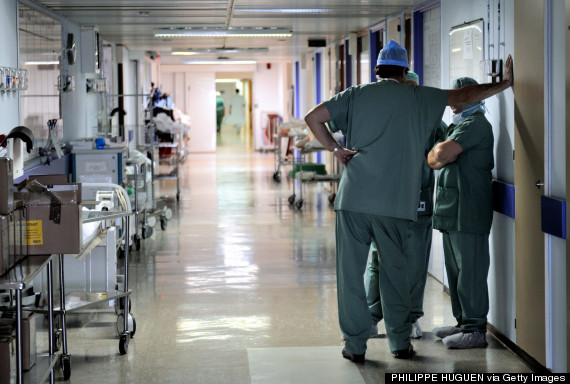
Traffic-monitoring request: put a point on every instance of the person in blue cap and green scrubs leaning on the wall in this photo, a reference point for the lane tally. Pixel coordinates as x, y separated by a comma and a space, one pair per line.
386, 125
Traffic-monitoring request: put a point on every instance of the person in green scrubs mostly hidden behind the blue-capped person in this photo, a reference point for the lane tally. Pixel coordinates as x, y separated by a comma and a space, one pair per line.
418, 246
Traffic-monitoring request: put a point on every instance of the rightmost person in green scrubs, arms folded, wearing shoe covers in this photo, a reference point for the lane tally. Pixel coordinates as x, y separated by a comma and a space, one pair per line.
463, 213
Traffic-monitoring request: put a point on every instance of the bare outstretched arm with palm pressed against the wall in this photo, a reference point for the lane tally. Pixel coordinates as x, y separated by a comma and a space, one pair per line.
472, 93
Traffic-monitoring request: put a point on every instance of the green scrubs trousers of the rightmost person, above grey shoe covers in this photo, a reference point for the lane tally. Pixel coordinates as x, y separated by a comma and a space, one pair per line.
467, 264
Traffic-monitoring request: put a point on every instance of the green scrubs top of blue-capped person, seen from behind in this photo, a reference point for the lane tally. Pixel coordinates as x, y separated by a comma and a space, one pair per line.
389, 124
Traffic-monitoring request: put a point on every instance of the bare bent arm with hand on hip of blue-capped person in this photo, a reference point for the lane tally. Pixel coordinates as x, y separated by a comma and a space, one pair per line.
316, 119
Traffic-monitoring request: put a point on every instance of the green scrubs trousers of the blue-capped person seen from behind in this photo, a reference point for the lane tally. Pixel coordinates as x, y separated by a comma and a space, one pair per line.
354, 233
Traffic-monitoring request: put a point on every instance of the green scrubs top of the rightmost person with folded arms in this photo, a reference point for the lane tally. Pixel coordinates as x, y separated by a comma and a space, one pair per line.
464, 198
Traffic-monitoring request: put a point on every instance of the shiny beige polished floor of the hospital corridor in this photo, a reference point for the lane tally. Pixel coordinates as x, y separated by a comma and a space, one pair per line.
240, 288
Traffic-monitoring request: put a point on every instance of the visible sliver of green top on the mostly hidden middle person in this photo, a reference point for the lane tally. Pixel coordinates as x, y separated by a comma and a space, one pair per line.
425, 208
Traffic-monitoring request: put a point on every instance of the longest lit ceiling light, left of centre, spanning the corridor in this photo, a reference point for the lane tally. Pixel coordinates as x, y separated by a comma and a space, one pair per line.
234, 32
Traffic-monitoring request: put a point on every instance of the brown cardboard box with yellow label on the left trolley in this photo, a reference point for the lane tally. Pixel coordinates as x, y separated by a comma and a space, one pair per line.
45, 235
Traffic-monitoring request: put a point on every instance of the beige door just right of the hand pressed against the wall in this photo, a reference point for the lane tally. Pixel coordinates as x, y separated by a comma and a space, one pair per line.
529, 168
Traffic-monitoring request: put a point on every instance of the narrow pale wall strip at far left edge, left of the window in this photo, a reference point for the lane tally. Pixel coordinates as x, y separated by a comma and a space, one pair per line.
9, 102
